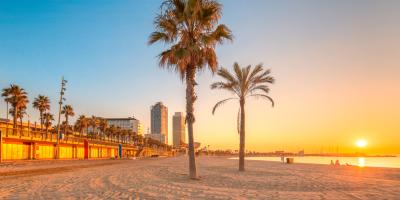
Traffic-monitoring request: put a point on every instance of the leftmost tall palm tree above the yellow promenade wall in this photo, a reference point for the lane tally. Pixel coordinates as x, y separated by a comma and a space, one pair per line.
17, 98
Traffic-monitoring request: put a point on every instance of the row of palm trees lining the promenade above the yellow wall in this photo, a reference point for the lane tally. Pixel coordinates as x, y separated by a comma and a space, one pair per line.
90, 127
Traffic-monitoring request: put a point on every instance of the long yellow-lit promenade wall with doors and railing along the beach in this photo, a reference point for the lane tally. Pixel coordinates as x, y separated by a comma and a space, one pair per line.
29, 141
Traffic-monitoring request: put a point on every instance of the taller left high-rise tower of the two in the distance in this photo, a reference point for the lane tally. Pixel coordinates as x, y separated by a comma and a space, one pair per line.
159, 120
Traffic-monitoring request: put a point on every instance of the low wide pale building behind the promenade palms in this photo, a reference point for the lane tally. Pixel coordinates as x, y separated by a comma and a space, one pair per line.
129, 123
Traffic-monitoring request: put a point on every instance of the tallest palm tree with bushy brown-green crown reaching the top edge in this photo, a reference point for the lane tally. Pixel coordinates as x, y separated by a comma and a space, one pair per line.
190, 28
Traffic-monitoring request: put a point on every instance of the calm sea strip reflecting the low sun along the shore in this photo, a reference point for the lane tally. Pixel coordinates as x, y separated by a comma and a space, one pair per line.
392, 162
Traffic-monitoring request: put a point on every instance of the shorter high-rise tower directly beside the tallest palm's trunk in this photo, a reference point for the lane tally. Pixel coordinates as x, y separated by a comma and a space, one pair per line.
178, 129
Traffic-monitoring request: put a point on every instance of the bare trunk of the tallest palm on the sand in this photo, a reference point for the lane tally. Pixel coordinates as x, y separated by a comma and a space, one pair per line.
190, 99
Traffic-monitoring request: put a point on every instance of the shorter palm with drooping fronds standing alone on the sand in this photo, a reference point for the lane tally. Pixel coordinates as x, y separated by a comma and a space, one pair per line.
244, 83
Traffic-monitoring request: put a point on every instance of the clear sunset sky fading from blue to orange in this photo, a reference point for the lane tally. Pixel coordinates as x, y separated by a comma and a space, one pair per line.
336, 65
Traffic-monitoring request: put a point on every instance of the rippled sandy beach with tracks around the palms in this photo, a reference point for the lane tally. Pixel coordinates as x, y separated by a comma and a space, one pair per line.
166, 178
